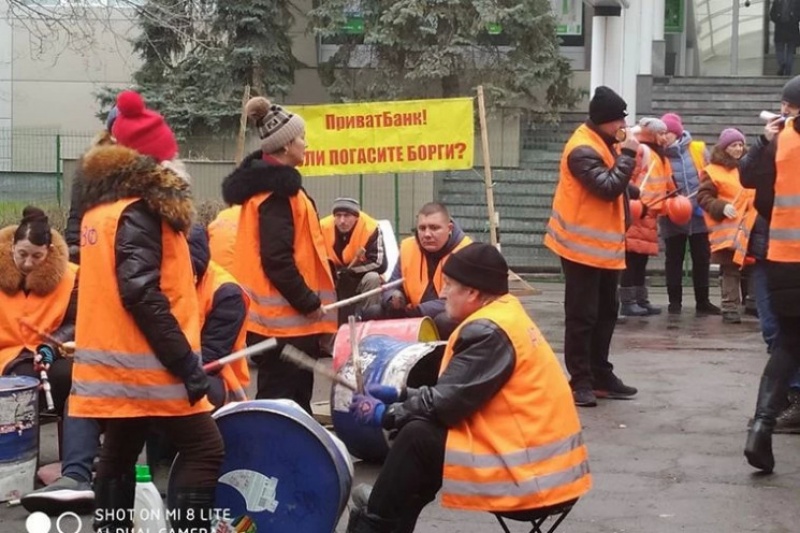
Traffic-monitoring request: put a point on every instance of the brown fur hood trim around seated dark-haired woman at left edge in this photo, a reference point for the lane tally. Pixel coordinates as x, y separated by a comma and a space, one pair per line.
41, 281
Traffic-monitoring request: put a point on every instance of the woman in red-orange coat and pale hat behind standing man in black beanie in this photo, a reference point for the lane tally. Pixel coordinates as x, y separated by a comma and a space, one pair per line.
641, 239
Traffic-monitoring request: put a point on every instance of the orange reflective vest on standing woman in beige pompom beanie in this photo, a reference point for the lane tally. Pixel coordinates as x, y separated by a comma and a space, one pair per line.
270, 313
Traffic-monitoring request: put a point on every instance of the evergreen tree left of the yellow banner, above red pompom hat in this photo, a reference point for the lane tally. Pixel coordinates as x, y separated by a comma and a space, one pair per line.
196, 62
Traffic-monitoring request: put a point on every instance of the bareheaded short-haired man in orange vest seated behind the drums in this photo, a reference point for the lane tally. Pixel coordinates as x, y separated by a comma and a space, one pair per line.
420, 265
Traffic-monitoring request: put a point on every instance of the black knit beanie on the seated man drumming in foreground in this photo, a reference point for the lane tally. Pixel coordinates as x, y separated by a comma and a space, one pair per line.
479, 266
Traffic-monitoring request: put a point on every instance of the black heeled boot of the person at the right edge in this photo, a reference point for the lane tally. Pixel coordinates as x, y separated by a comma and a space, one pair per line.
771, 398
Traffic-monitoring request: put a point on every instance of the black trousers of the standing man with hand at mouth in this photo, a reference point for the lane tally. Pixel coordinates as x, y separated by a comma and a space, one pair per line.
590, 306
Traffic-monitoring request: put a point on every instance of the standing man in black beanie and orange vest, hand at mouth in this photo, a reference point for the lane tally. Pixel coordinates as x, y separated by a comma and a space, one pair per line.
587, 230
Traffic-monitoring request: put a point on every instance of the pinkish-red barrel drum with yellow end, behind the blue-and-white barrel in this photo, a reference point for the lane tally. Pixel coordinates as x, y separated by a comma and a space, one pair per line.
420, 329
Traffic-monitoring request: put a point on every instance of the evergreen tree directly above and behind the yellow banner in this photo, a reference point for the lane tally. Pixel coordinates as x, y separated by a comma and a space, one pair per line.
445, 48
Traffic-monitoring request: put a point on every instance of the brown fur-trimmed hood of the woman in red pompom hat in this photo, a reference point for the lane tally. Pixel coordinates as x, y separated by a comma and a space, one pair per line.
111, 173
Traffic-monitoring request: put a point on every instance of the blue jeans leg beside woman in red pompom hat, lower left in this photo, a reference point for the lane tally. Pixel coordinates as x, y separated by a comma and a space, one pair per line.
81, 441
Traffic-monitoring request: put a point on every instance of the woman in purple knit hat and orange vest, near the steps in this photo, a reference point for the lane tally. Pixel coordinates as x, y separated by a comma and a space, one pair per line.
727, 206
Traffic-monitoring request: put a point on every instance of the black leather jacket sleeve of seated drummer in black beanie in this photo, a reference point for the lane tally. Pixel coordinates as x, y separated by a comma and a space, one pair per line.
483, 361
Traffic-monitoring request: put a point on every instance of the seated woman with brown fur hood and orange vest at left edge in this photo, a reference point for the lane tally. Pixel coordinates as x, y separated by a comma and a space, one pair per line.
38, 289
